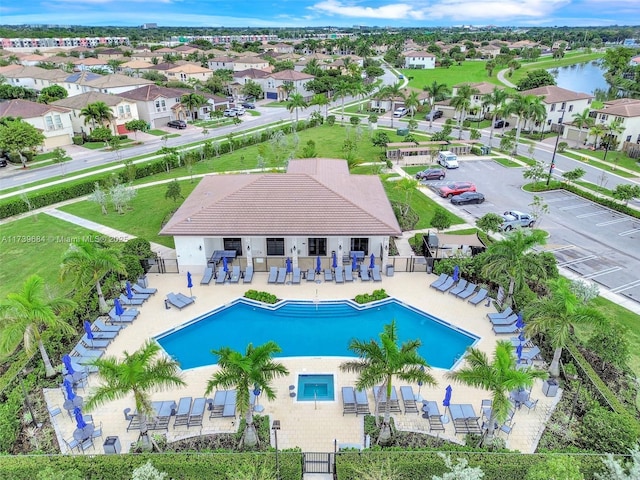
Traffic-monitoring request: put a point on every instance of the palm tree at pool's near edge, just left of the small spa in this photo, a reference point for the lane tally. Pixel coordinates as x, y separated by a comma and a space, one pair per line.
254, 369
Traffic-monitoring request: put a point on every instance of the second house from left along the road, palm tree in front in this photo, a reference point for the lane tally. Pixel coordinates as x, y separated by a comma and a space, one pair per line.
122, 109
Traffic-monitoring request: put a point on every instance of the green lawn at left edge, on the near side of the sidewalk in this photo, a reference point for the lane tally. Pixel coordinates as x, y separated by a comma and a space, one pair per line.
34, 245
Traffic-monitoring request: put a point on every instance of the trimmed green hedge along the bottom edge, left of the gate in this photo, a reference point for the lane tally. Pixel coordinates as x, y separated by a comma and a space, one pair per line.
179, 466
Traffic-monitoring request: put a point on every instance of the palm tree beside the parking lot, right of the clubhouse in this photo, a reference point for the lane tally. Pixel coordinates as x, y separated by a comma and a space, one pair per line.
512, 257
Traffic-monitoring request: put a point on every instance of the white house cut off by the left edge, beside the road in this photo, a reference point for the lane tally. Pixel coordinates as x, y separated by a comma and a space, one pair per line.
53, 121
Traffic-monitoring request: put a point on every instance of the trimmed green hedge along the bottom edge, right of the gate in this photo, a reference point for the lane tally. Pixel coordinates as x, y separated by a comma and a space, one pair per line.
423, 465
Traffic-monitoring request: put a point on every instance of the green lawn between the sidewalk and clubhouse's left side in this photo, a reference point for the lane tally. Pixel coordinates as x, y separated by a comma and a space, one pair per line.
140, 220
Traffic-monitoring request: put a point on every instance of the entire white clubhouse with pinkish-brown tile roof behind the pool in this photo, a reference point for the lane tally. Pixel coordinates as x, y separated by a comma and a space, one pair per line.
317, 207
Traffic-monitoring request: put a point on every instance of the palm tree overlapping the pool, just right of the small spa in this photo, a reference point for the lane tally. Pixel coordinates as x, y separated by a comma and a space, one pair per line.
378, 363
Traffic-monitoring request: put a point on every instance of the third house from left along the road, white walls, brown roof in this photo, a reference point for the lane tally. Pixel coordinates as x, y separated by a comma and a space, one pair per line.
157, 105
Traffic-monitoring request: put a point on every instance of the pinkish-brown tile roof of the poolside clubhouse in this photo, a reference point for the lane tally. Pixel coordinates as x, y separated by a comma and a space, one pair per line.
314, 198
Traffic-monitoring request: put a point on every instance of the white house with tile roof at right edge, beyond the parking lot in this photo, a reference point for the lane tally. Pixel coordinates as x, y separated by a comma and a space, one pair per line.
625, 113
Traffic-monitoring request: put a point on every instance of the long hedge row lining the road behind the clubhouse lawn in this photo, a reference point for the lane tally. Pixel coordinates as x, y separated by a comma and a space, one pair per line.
78, 188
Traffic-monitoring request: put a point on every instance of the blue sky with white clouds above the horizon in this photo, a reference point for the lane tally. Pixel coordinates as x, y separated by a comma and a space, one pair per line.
314, 13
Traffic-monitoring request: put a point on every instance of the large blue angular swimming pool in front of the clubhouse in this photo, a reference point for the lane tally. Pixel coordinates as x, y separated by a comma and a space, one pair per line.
311, 329
